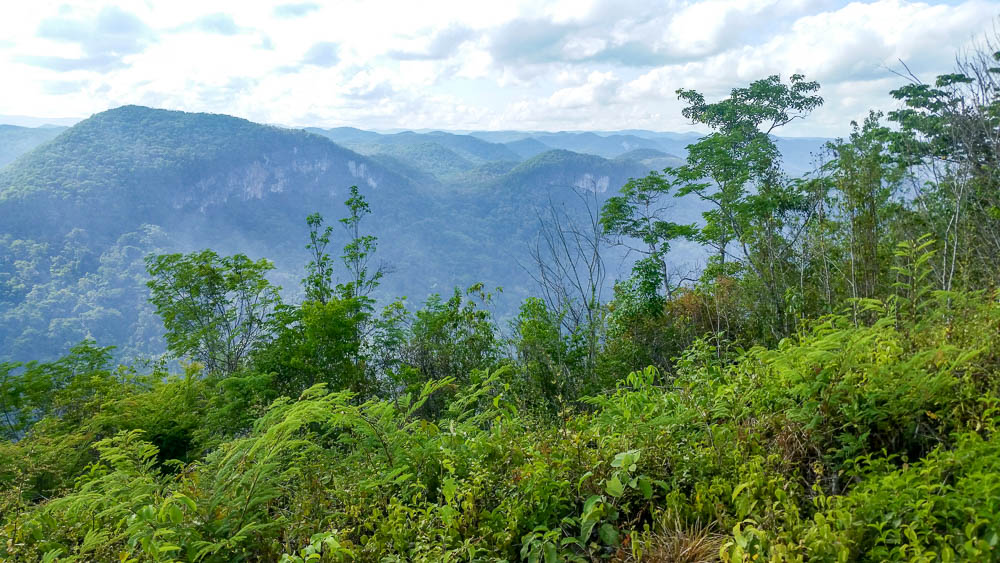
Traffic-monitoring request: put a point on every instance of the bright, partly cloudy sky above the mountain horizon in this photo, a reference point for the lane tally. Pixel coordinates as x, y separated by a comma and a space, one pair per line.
498, 65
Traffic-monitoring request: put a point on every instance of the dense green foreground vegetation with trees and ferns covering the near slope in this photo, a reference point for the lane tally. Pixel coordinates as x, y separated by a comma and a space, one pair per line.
827, 389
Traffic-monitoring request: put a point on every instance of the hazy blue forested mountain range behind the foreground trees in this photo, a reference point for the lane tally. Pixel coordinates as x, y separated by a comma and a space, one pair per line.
82, 211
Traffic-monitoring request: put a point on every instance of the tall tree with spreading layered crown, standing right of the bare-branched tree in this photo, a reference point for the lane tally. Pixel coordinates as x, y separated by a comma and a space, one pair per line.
737, 169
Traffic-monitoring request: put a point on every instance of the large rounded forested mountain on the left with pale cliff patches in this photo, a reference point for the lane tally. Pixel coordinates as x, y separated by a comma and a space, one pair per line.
80, 213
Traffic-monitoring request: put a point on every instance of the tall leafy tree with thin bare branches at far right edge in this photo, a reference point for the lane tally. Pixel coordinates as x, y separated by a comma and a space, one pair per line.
950, 136
